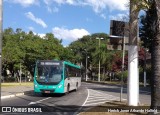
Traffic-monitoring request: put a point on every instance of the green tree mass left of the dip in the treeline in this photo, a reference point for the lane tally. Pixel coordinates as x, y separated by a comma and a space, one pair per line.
26, 48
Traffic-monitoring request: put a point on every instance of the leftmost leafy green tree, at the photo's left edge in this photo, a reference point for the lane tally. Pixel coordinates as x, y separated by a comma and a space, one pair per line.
11, 51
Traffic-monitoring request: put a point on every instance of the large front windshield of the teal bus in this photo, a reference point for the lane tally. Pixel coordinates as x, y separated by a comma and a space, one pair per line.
49, 74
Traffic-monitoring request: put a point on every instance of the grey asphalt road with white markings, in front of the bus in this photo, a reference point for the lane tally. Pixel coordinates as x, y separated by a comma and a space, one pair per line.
88, 95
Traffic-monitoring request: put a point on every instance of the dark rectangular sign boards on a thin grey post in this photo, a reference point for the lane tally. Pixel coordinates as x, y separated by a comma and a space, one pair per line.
119, 41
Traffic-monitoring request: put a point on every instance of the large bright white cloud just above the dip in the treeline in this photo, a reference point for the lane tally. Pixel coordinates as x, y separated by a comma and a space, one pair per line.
70, 35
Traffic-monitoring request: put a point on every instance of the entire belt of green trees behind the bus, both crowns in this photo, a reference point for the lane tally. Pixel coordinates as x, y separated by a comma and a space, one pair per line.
20, 48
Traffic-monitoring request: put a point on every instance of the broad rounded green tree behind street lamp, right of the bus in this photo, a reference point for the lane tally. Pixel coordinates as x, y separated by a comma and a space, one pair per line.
88, 46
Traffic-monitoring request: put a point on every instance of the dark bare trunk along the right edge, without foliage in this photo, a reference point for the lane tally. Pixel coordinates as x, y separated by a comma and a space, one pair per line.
155, 81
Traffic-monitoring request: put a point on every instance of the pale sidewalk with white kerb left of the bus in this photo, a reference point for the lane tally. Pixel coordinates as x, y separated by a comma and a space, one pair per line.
12, 91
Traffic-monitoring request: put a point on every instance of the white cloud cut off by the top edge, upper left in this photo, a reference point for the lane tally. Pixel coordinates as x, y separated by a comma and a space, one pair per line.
24, 3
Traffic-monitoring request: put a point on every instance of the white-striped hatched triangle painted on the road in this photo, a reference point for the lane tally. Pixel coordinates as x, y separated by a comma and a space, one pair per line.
98, 97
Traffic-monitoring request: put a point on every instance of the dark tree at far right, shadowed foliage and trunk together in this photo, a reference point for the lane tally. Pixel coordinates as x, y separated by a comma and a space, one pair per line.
150, 34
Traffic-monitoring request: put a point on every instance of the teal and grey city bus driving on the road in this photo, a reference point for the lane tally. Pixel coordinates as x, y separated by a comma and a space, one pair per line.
52, 76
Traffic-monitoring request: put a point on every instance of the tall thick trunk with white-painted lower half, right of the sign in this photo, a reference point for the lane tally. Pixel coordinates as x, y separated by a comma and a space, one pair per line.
133, 73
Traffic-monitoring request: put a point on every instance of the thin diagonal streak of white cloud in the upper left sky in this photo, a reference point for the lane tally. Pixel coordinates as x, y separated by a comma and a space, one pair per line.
35, 19
